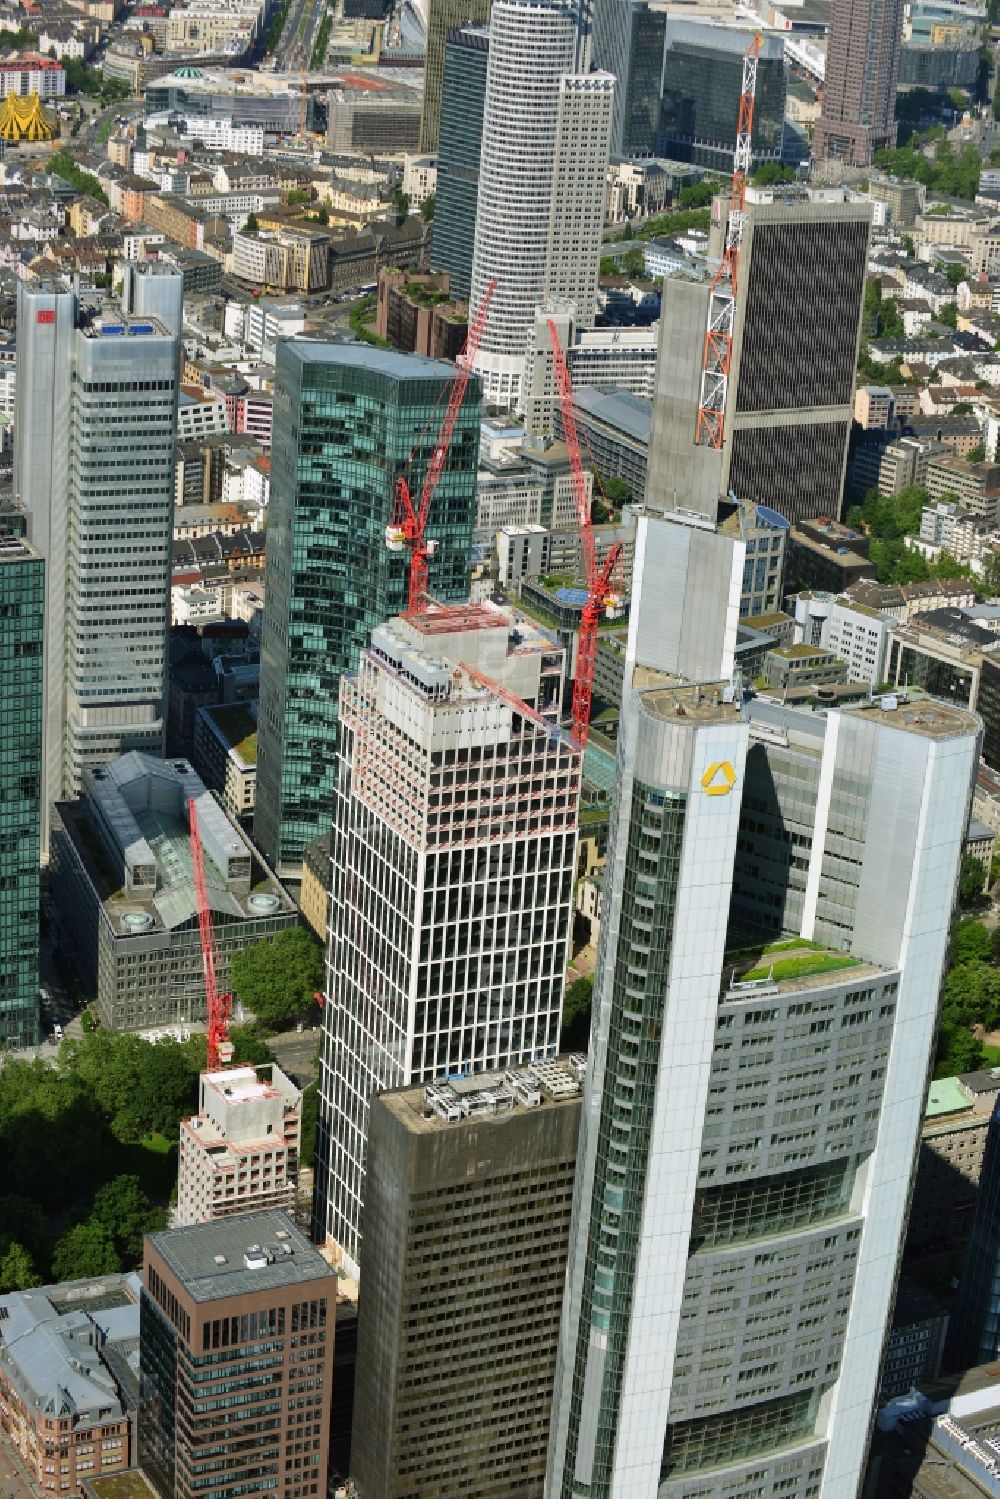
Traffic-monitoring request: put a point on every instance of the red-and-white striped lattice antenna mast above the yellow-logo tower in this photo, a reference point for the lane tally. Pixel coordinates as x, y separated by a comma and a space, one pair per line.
722, 304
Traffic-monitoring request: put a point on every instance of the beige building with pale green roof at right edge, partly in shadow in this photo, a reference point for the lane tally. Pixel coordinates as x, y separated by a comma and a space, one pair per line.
950, 1162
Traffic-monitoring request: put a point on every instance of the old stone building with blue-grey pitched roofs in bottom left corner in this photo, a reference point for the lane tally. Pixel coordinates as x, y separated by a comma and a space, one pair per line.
68, 1380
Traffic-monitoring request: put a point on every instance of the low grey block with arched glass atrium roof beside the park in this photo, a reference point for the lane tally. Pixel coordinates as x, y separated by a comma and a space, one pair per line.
124, 881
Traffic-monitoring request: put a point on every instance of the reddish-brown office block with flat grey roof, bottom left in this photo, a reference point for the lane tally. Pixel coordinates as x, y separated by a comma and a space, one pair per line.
248, 1305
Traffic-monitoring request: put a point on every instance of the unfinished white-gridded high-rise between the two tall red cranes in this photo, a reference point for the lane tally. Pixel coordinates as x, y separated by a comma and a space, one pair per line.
449, 936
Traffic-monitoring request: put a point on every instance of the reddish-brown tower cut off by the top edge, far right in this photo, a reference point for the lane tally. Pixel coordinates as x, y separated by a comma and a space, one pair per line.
863, 65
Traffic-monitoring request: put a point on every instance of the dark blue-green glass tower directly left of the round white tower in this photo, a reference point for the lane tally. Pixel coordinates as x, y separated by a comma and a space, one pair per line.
460, 148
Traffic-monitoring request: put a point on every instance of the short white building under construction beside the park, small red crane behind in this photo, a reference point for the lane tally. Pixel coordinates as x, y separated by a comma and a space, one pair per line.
241, 1152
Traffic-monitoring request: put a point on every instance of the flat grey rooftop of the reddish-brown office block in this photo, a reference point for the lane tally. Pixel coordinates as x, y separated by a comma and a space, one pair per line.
209, 1258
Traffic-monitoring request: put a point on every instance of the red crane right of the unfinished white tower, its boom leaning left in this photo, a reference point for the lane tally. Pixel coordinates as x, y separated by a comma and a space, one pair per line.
602, 599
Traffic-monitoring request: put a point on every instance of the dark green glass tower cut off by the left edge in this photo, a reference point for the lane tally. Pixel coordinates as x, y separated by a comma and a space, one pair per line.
22, 617
